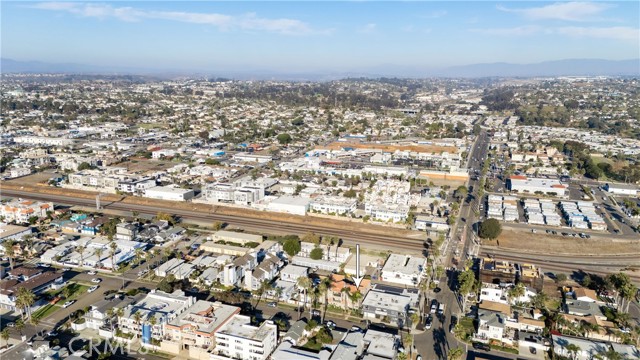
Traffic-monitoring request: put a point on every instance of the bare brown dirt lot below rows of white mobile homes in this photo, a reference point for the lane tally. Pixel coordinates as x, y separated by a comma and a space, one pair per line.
542, 243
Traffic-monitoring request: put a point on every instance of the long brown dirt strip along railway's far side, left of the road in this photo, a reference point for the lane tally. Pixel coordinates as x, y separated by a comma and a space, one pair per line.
254, 223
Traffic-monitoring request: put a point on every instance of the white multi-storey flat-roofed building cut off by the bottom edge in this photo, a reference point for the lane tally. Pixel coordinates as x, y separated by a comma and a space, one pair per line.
238, 339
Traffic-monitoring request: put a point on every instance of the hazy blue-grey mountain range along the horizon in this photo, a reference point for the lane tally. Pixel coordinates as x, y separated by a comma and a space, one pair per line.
570, 67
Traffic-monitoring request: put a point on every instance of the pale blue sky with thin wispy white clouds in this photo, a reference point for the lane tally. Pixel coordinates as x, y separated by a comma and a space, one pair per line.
306, 36
